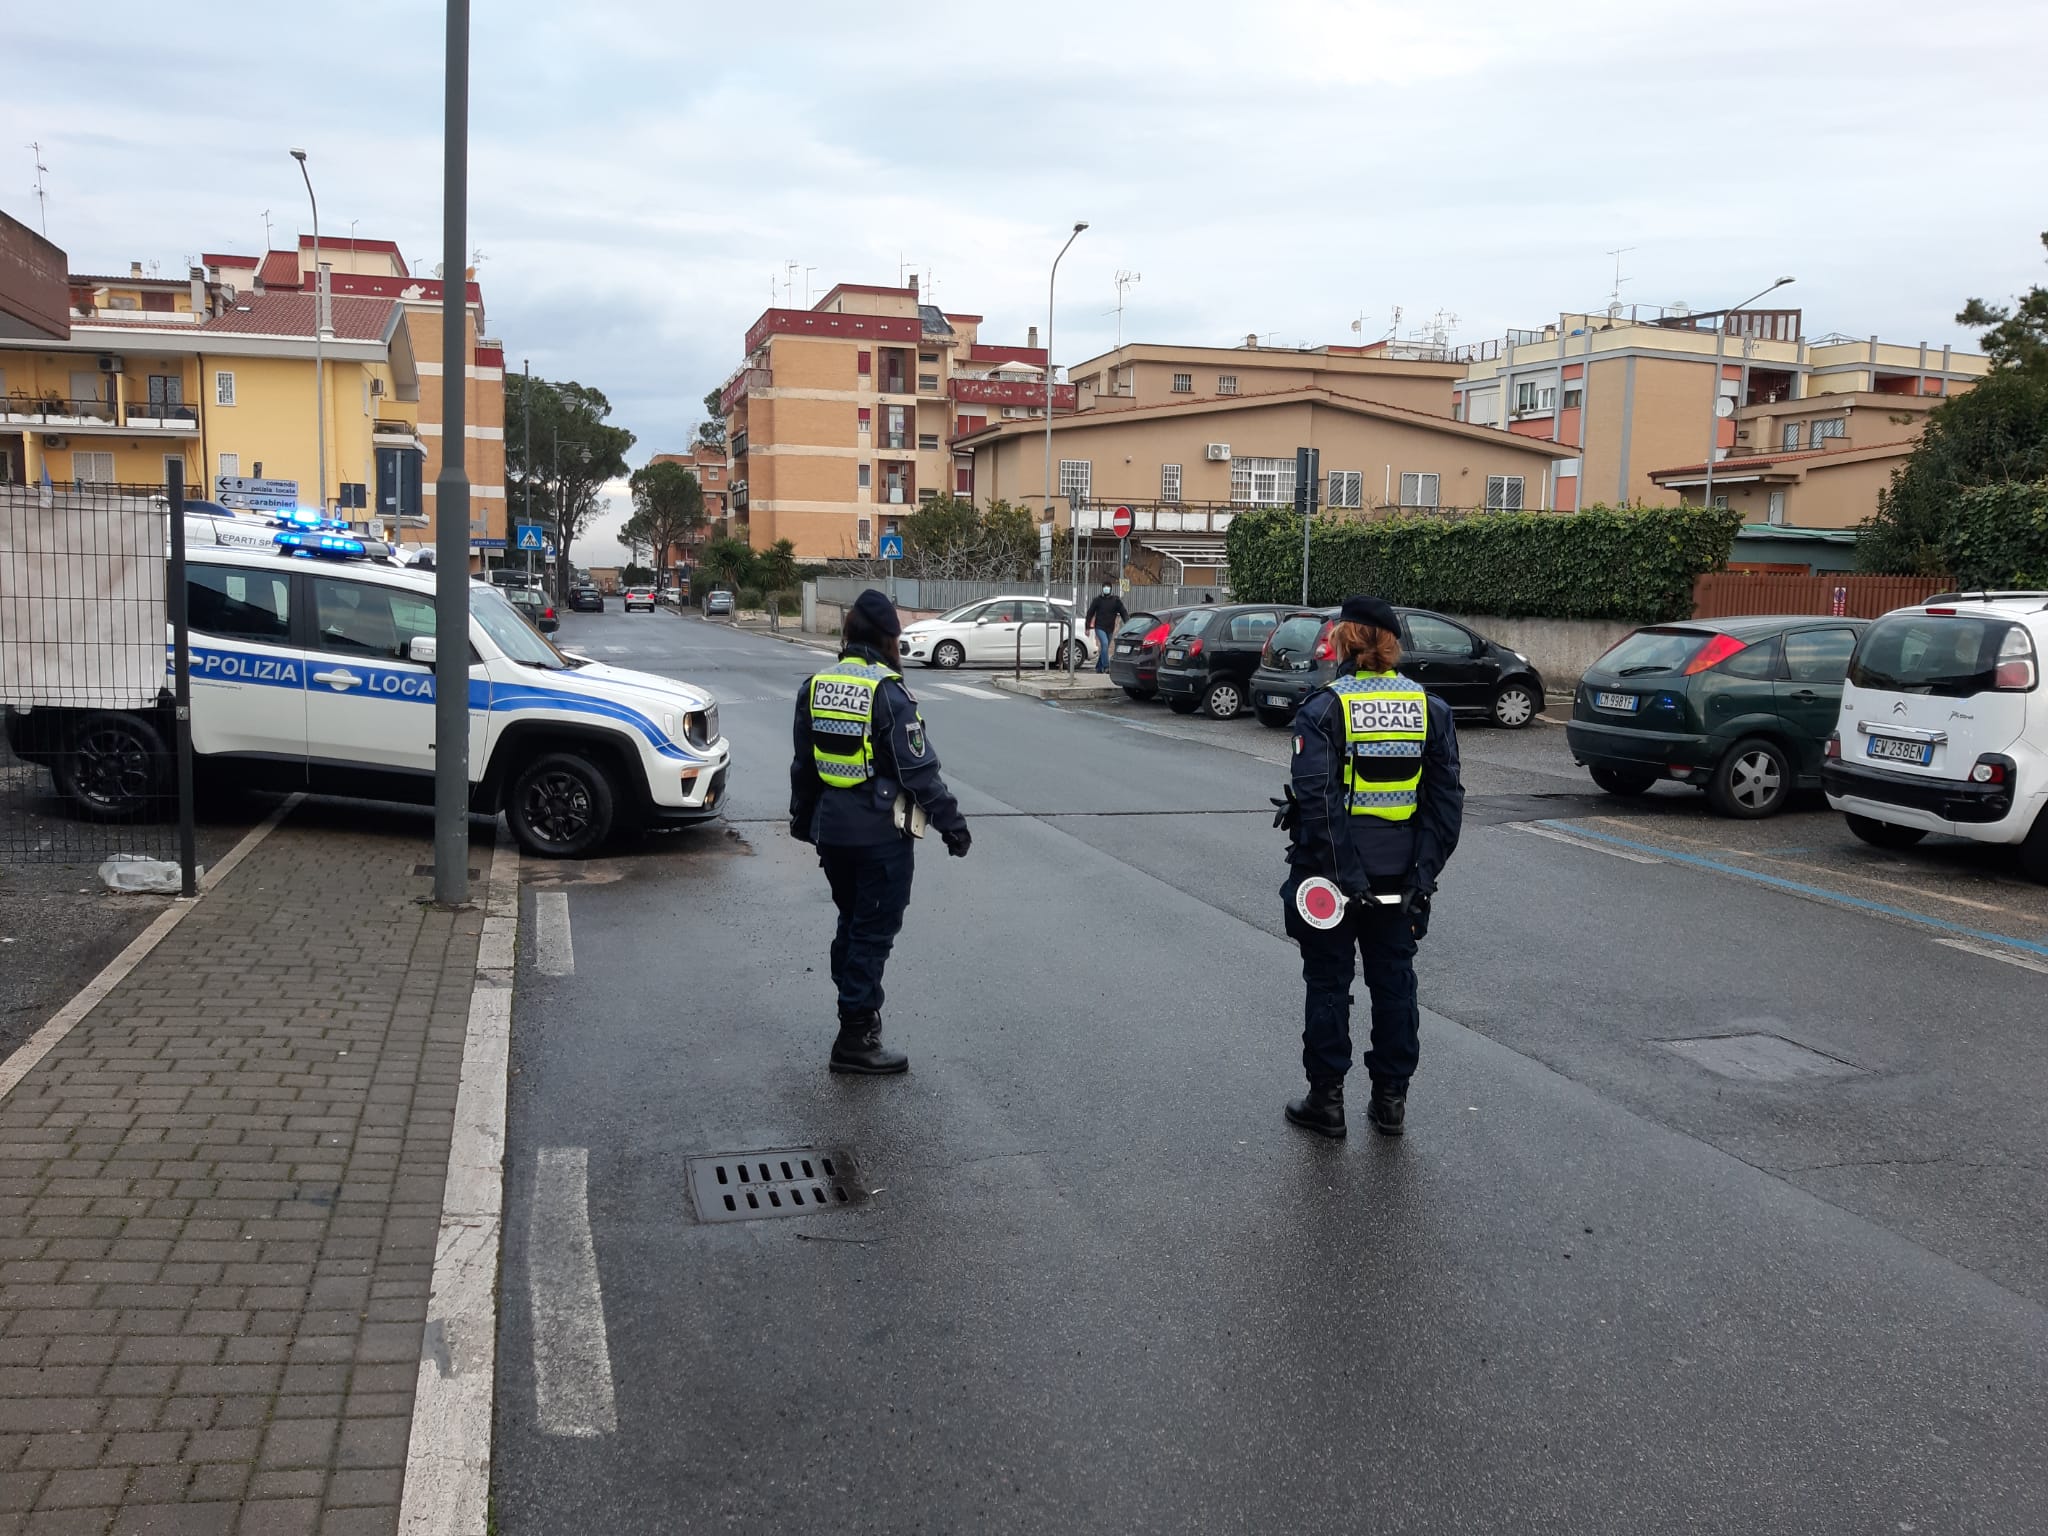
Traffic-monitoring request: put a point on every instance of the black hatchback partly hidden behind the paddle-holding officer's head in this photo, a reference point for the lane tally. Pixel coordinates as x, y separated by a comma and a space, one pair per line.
1480, 679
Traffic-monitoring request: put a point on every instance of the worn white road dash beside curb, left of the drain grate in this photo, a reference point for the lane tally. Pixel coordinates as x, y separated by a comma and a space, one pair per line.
572, 1367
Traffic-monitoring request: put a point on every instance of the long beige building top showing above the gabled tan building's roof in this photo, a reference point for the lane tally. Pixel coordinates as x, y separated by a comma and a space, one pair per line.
1144, 374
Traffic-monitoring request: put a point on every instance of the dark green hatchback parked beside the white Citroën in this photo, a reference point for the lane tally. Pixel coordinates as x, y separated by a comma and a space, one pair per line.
1740, 708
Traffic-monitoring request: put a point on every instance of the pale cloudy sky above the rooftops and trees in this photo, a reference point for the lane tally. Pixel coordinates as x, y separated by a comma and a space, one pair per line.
644, 171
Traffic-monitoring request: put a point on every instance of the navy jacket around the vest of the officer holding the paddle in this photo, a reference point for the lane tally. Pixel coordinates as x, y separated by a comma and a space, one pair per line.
1365, 851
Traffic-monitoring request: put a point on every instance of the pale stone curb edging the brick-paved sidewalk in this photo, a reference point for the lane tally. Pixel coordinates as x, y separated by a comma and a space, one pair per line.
450, 1453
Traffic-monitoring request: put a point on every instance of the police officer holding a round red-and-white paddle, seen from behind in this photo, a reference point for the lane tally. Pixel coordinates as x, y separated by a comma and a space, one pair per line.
1375, 806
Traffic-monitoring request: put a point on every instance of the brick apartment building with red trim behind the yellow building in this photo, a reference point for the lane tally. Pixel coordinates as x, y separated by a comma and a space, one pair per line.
376, 269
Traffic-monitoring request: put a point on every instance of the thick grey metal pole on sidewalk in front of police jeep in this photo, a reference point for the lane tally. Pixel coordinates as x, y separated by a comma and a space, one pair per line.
452, 493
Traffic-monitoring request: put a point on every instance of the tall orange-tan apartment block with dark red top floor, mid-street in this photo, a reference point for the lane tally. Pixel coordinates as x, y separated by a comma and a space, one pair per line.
847, 415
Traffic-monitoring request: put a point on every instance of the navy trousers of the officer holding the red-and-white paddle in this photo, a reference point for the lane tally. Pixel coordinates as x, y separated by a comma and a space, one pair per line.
1330, 957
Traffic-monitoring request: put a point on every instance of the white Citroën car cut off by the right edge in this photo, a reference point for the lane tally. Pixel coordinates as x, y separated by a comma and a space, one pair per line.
1945, 726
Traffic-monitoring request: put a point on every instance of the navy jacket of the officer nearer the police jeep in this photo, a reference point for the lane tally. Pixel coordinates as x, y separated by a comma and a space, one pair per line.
904, 761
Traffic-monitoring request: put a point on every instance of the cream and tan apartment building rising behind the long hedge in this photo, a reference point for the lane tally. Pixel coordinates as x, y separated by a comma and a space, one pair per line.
1644, 390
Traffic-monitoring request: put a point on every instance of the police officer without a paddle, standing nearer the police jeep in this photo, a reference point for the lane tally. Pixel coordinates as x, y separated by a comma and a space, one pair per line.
863, 763
